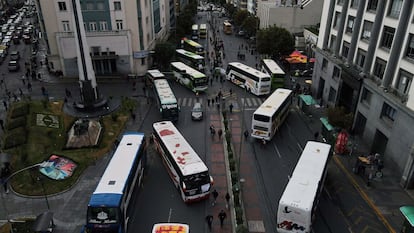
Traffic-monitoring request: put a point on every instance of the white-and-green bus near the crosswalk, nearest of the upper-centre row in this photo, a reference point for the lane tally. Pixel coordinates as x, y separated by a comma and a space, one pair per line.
189, 77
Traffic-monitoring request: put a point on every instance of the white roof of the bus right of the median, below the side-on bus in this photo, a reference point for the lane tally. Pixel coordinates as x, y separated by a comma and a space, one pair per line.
273, 102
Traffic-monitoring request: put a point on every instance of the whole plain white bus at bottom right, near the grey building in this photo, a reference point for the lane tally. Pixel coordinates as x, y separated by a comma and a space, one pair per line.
300, 199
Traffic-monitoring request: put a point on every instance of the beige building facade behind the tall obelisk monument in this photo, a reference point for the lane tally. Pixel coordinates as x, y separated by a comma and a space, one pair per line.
120, 33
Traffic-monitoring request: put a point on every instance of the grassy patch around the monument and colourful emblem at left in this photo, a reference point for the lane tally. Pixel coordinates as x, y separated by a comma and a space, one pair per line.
44, 141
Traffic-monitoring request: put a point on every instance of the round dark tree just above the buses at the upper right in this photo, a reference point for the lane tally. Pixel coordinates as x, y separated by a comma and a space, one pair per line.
275, 41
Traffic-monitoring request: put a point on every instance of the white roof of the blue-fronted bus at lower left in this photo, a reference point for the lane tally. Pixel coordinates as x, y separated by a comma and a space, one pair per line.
117, 172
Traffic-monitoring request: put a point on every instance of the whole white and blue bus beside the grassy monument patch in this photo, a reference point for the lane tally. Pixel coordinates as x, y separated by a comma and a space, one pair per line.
109, 206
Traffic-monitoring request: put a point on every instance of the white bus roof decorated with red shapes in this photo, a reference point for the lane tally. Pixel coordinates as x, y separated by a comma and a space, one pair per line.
184, 155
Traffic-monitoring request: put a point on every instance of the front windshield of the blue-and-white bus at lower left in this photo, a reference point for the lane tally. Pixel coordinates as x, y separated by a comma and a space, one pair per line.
103, 215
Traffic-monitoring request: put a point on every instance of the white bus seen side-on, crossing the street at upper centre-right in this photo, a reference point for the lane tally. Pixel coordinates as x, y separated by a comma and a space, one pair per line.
252, 80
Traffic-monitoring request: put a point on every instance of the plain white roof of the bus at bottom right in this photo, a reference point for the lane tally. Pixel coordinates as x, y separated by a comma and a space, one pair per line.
304, 182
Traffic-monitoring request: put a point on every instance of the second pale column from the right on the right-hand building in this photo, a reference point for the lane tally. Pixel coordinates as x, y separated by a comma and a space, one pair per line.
376, 28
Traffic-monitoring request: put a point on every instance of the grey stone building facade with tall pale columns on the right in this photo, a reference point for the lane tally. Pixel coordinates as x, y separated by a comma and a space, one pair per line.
365, 62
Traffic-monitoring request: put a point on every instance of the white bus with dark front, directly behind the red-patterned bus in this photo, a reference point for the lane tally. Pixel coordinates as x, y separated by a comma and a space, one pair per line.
167, 103
